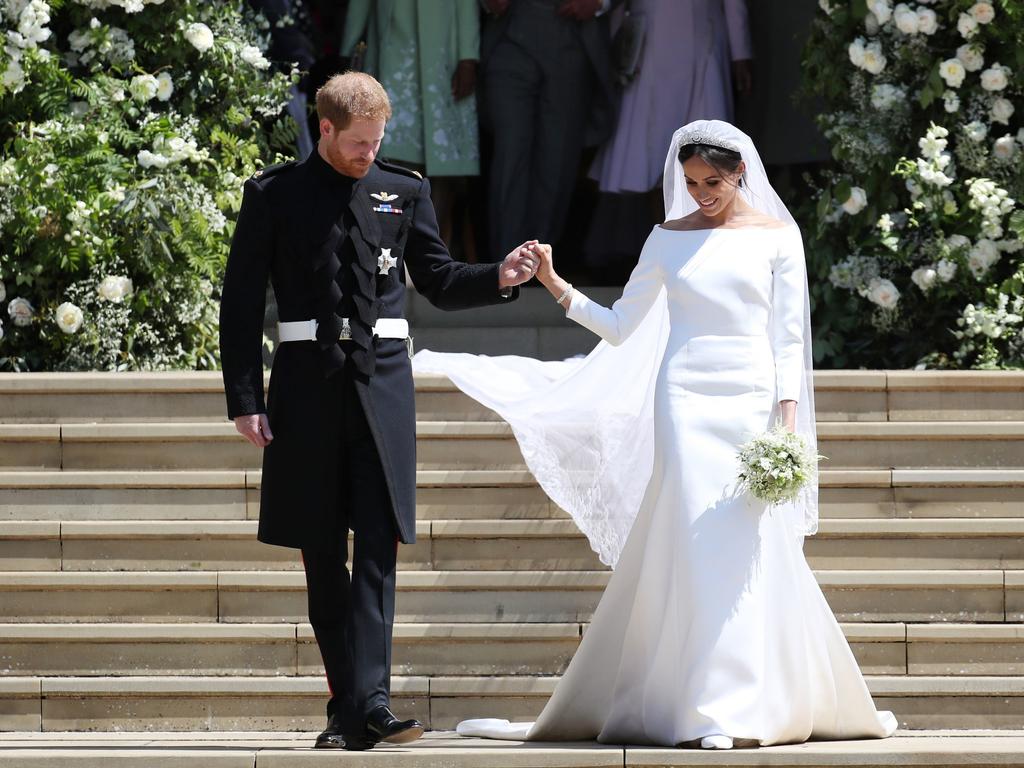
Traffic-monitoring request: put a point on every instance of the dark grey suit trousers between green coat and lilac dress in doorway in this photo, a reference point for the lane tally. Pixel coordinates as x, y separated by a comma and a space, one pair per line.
539, 86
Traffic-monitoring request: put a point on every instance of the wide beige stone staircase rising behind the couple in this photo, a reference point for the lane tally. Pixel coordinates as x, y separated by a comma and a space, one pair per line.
134, 596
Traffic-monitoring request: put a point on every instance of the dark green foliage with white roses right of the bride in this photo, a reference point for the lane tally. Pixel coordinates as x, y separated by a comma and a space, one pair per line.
917, 234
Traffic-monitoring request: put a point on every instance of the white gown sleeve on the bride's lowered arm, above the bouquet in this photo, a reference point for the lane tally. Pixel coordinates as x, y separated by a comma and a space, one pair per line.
789, 287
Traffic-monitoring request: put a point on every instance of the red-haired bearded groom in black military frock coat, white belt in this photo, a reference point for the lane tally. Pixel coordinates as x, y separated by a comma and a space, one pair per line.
336, 234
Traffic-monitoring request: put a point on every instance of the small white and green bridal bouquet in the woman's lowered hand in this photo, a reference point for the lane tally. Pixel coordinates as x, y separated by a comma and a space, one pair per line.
775, 466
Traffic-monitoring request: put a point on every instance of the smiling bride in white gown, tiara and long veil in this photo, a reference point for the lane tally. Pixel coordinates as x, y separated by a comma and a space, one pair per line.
713, 629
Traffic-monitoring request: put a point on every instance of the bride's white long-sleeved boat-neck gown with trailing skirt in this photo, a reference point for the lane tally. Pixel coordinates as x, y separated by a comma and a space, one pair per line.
712, 622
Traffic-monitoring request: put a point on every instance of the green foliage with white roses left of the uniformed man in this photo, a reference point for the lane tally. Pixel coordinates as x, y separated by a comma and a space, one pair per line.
127, 130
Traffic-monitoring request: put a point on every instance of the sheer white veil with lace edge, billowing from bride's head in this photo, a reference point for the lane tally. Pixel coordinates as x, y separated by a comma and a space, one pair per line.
586, 428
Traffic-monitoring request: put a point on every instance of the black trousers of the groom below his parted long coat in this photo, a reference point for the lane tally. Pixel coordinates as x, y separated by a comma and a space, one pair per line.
353, 614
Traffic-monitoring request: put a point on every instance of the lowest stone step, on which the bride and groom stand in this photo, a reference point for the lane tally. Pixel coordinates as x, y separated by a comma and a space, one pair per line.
952, 749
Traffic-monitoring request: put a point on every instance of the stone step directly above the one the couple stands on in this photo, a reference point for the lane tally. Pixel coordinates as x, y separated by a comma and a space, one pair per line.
200, 704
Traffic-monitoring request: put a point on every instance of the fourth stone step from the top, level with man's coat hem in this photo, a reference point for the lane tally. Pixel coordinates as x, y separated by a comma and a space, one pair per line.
484, 545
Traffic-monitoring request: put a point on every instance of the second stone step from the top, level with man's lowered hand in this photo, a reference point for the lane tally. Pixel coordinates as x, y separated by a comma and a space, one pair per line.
481, 445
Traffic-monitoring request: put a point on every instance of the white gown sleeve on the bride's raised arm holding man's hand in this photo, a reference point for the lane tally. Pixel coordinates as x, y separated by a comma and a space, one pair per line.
616, 325
